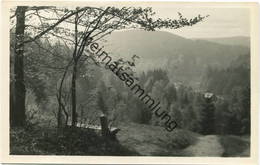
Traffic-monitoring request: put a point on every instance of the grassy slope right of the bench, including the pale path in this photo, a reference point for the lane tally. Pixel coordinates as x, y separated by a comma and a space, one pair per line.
155, 141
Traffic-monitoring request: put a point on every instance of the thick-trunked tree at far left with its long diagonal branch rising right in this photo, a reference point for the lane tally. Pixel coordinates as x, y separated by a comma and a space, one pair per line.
17, 109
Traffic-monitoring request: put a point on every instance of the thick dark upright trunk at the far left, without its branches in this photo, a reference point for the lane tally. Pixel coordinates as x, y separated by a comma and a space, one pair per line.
17, 111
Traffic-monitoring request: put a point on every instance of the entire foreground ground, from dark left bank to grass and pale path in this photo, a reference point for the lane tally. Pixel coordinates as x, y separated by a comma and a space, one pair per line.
133, 140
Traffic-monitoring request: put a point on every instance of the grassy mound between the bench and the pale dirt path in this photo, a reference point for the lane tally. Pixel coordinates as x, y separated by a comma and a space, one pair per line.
154, 140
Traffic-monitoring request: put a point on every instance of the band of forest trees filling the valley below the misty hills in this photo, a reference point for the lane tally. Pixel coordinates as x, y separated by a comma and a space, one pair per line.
99, 91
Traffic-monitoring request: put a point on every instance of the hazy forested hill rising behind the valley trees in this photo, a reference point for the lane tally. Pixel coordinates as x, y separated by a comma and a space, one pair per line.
184, 59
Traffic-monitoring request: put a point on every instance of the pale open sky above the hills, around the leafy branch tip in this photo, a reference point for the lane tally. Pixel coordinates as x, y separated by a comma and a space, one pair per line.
222, 22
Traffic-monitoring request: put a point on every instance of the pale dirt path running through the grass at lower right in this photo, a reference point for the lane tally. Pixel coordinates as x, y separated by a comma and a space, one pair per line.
206, 146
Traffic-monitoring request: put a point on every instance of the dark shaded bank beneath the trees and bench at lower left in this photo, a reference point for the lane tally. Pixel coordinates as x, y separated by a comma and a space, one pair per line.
69, 141
